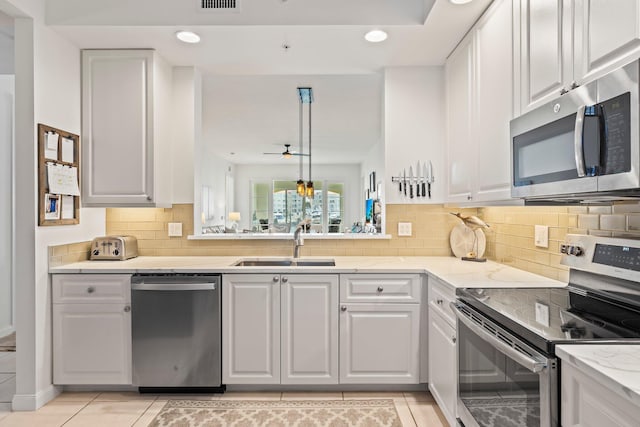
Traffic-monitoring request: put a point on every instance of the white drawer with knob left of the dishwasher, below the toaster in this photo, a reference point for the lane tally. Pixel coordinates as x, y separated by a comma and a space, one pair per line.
82, 288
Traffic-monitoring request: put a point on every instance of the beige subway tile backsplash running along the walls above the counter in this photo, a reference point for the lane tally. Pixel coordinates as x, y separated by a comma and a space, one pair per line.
510, 239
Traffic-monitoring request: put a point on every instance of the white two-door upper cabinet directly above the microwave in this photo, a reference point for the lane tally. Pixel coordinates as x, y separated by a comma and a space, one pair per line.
567, 43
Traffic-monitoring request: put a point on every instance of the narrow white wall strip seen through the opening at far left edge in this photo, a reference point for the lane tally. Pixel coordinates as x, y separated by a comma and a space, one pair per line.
6, 182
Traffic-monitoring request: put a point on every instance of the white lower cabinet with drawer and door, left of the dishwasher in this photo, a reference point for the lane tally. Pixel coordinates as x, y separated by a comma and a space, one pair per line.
91, 329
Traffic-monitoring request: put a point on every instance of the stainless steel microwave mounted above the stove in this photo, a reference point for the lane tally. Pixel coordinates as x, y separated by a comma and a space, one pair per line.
581, 146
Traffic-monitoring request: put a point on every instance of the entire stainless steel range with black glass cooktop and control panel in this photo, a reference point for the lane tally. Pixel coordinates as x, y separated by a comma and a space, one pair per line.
507, 367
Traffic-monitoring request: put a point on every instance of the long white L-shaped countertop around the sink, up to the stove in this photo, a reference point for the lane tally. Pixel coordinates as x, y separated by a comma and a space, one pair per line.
452, 270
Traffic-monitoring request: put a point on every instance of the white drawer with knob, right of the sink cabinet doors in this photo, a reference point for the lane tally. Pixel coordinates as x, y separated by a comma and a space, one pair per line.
397, 288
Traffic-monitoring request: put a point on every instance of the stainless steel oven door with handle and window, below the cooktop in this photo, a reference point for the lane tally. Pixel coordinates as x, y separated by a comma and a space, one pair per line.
502, 381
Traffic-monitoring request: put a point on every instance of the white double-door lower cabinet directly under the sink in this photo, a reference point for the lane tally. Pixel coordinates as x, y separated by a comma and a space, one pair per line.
280, 329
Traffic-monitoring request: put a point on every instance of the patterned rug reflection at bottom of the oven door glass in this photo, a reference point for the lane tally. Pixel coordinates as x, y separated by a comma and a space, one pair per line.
505, 412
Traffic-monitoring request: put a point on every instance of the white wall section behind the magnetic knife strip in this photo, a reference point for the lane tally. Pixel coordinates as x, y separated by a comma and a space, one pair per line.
414, 127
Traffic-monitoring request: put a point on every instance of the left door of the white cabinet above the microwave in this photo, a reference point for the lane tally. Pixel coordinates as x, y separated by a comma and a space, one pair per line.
546, 45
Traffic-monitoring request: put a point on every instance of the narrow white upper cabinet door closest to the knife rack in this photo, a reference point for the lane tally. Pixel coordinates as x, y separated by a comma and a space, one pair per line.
460, 151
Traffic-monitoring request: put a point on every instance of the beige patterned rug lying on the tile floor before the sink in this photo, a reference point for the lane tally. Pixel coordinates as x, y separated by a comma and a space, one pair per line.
278, 413
